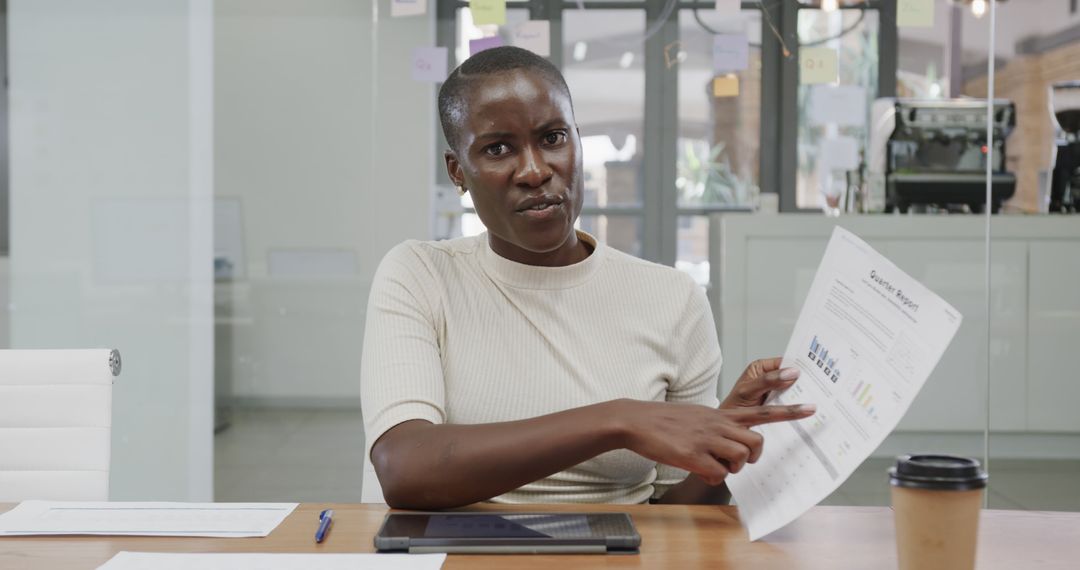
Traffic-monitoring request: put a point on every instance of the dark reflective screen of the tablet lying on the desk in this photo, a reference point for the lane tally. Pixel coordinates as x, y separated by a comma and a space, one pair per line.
507, 526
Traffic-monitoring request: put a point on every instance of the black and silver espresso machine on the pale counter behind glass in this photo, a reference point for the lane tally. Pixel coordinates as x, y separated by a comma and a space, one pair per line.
930, 156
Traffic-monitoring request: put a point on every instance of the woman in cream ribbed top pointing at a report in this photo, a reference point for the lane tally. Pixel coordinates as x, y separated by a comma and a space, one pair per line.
533, 364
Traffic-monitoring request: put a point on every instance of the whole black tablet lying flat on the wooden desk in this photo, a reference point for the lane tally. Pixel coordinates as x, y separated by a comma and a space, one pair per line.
508, 533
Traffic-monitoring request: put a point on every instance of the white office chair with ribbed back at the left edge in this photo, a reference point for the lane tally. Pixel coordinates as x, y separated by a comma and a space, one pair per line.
56, 424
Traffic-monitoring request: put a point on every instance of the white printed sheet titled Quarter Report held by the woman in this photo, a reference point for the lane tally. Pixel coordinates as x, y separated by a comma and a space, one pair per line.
866, 342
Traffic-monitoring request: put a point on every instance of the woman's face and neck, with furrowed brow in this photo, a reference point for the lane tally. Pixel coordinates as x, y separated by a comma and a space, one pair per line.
519, 154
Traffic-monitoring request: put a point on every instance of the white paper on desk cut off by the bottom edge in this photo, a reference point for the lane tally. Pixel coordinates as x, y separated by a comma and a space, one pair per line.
128, 561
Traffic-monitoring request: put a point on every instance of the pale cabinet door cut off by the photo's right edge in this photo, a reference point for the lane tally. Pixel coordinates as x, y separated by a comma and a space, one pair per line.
1055, 337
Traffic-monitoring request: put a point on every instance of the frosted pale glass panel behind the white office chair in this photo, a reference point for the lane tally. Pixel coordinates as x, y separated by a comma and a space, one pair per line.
109, 132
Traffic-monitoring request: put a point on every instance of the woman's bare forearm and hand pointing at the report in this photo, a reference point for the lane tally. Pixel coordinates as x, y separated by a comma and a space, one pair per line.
423, 466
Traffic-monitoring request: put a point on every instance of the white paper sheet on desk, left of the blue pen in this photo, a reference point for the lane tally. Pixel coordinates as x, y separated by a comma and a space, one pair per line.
144, 520
